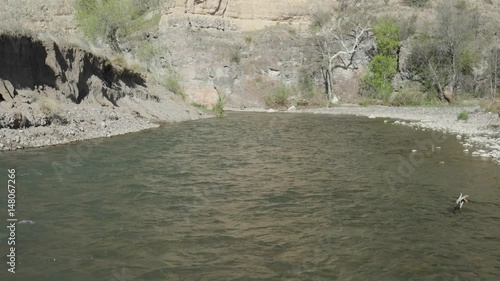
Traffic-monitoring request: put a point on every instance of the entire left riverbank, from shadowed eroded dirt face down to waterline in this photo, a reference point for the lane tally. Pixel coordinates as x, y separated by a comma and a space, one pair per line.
57, 94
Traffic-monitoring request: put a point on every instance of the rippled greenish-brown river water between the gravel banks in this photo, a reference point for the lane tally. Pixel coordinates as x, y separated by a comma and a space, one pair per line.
254, 197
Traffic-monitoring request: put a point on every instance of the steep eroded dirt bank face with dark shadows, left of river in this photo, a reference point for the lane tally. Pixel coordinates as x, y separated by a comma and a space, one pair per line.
28, 63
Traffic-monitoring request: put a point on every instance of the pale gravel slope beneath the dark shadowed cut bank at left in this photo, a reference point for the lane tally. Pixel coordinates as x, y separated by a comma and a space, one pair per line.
82, 122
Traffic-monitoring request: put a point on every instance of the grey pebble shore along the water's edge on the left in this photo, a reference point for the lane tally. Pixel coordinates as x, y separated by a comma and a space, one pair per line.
83, 123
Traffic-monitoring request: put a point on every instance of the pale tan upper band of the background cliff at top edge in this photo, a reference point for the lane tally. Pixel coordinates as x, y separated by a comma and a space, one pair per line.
232, 14
